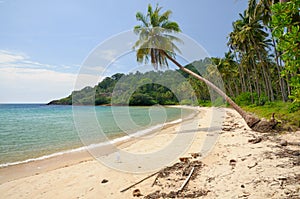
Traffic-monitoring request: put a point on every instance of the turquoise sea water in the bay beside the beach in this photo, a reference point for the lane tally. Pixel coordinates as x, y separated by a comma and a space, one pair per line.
30, 132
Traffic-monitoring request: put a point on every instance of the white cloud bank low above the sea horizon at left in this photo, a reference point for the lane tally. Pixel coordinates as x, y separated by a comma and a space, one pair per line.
24, 80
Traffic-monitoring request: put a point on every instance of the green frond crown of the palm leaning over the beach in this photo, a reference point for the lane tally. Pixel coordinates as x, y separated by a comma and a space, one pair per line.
156, 37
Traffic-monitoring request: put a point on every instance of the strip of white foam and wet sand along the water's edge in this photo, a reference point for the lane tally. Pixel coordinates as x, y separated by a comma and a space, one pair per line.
14, 170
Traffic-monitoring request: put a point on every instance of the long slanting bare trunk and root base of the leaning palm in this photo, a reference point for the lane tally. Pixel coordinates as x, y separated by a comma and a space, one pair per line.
253, 122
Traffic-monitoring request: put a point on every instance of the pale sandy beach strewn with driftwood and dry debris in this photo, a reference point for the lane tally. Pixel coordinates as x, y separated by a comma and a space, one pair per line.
233, 162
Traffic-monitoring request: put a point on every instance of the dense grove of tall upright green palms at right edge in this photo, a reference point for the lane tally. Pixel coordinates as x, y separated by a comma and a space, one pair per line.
263, 56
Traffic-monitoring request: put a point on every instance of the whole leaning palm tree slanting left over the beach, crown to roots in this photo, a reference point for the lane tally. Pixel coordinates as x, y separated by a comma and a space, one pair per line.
156, 42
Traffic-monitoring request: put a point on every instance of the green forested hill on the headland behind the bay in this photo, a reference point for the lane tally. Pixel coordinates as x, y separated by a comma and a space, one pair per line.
154, 87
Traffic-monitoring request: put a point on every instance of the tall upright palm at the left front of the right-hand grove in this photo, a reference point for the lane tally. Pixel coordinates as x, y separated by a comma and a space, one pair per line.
251, 40
